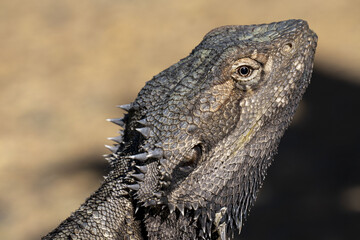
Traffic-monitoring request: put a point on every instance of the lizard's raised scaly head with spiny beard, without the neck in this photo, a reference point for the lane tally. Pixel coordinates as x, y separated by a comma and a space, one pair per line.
210, 124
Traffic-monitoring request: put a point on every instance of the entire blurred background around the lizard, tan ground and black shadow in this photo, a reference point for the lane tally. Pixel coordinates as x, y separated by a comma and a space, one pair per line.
64, 65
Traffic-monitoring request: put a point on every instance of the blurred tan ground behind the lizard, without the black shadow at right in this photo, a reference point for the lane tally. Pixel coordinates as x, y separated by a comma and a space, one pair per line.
64, 65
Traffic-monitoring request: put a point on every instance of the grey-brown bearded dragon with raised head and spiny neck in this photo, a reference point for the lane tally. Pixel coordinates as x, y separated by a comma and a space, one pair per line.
199, 137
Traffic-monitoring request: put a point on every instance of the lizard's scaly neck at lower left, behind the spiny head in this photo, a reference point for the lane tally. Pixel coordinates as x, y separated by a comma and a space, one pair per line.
101, 216
